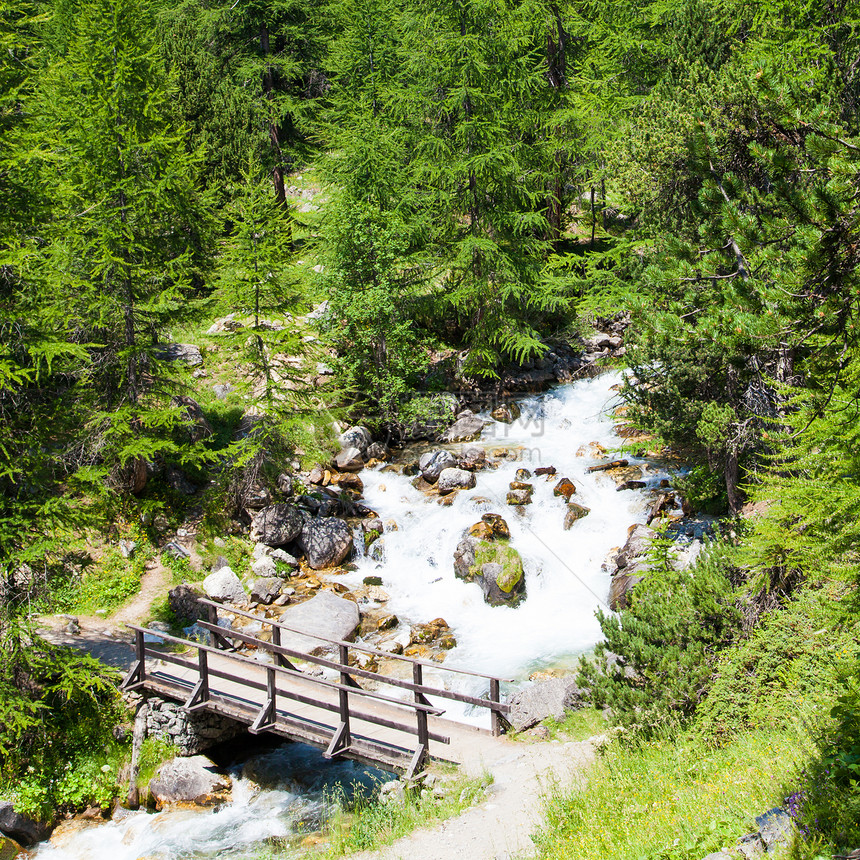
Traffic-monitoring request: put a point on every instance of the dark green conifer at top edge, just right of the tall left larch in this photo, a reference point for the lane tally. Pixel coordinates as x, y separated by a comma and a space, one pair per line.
248, 76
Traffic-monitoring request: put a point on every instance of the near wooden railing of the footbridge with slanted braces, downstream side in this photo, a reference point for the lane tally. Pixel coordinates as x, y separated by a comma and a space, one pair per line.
266, 719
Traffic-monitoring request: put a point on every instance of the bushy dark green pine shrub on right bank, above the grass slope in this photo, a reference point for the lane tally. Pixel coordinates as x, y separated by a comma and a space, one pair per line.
666, 642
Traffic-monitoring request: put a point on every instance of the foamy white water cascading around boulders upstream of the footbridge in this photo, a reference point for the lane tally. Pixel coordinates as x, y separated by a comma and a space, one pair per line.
564, 580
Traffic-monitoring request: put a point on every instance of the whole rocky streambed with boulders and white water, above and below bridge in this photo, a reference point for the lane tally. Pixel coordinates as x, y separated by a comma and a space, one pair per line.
489, 550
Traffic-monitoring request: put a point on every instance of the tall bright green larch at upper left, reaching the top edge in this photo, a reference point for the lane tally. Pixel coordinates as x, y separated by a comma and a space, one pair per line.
129, 227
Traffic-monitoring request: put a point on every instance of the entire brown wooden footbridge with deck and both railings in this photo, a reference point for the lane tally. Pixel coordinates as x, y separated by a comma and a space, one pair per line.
274, 694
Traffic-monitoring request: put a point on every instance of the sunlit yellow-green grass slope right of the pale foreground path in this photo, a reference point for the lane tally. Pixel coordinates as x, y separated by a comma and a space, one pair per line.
678, 799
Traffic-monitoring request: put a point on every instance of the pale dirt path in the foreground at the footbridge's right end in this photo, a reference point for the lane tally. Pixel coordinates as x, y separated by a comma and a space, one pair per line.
500, 828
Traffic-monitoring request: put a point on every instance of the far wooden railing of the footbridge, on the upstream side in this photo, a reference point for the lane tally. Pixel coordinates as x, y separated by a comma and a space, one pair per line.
498, 709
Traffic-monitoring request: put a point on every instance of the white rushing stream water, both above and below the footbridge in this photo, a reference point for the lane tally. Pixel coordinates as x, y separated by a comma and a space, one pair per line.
556, 622
